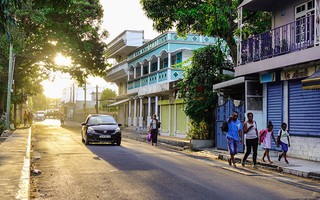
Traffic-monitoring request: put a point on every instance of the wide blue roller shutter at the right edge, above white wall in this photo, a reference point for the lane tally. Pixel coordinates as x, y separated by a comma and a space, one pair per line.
304, 110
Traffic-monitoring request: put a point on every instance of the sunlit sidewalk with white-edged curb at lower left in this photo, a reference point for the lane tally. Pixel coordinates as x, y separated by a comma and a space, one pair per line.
15, 165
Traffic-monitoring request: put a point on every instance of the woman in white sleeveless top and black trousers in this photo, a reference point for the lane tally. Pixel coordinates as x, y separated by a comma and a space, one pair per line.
251, 136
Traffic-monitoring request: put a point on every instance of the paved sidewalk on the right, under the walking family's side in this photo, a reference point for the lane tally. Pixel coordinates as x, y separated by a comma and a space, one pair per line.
298, 167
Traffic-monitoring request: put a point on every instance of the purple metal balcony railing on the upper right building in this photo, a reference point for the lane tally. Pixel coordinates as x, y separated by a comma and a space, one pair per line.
291, 37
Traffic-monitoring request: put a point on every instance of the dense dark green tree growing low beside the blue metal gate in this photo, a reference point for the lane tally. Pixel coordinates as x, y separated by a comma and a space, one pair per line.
206, 69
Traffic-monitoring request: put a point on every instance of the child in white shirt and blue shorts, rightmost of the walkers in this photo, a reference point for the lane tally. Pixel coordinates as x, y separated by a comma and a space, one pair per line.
284, 141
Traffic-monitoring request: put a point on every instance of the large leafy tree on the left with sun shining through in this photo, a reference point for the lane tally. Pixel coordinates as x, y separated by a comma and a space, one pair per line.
46, 28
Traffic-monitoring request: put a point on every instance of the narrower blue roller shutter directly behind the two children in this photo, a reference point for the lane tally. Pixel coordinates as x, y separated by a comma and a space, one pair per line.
275, 108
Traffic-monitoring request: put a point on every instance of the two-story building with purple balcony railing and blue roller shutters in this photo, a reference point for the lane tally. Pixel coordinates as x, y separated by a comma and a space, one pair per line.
286, 61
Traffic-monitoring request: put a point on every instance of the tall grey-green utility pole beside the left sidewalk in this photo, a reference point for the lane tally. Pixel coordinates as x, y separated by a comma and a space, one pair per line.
10, 78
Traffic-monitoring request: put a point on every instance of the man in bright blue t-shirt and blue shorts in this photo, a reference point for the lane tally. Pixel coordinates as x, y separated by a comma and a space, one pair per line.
234, 136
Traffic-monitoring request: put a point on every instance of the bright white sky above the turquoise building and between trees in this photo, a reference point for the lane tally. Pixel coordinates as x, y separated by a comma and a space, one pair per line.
119, 15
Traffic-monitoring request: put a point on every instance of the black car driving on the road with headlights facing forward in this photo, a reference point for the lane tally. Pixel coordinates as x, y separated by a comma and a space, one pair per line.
100, 128
